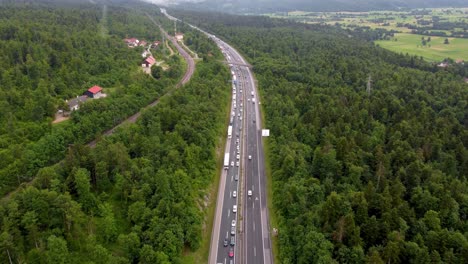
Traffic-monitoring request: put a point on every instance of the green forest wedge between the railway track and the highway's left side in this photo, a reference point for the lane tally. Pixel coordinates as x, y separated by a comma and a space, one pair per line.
139, 195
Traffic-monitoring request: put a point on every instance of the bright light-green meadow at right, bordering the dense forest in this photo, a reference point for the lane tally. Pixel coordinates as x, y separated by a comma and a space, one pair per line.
411, 44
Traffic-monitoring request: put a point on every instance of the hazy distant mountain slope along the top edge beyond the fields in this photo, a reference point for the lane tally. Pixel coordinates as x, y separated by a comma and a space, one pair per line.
263, 6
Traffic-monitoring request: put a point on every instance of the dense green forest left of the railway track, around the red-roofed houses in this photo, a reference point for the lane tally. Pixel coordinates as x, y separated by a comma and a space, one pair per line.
51, 54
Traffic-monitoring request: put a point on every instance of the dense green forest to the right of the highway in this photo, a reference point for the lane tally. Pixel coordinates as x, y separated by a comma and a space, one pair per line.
368, 149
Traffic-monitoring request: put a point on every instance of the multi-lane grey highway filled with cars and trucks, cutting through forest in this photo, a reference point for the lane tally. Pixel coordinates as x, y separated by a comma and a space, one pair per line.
244, 174
